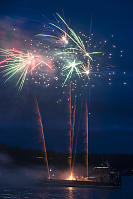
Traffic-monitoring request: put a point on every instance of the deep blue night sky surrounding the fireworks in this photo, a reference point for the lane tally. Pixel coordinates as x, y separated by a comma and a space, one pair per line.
111, 107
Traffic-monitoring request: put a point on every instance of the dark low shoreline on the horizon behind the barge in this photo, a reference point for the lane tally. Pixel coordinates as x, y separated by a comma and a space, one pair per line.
32, 157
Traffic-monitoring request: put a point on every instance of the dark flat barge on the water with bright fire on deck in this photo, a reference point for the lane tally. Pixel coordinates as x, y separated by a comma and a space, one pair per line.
104, 177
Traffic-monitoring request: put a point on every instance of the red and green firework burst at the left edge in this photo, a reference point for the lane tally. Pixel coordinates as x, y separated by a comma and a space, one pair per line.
18, 62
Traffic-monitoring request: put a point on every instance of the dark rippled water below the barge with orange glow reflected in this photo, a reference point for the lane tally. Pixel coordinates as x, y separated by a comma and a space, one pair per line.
126, 192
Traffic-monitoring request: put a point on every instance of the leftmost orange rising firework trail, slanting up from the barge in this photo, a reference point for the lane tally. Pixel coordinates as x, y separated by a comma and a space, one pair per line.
42, 134
